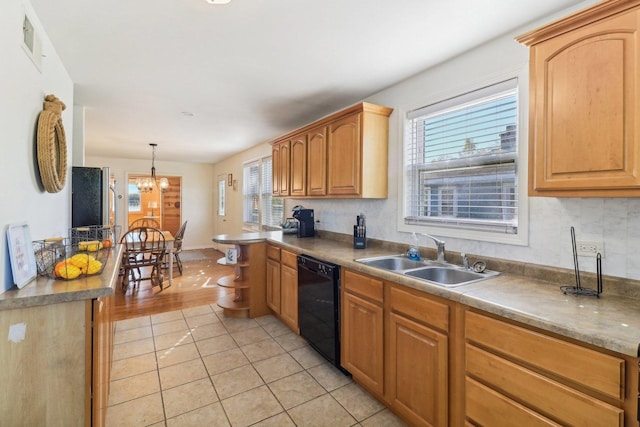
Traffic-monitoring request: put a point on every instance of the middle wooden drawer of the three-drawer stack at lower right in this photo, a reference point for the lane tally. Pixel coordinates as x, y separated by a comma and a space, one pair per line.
540, 393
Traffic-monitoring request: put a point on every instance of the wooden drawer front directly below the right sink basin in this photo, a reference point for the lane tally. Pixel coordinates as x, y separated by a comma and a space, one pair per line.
419, 307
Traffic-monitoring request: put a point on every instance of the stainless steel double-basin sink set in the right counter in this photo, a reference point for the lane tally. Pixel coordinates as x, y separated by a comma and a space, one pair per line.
439, 273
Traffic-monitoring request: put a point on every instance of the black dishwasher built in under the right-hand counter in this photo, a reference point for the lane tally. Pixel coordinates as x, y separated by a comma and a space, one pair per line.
319, 306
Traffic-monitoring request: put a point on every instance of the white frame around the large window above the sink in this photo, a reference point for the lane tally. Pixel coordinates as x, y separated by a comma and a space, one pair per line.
521, 237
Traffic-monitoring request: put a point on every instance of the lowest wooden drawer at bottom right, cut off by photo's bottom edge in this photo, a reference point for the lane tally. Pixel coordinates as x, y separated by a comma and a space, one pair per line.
487, 407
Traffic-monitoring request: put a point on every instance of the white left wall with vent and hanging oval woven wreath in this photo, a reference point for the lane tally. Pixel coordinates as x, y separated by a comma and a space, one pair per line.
23, 88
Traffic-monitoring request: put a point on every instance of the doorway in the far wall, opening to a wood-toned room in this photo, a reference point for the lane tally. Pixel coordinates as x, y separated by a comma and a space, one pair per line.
150, 202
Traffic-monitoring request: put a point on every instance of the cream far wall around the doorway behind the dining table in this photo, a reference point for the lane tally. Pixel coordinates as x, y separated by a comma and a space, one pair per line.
198, 193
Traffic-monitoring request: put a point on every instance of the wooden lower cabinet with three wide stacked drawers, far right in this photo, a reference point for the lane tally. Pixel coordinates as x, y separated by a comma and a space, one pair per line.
518, 375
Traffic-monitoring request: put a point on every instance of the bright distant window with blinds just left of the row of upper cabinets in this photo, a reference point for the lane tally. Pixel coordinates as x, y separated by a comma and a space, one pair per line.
260, 209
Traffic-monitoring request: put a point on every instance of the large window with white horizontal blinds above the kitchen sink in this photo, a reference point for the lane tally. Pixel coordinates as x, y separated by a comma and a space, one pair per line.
461, 161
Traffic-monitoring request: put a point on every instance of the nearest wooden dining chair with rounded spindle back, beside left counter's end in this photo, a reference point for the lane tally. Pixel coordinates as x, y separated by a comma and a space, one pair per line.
144, 247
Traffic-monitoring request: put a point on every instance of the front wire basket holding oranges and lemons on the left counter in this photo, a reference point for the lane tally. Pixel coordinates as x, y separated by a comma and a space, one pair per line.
60, 259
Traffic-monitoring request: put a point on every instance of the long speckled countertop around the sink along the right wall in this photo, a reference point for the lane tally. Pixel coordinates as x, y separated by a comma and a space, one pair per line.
611, 322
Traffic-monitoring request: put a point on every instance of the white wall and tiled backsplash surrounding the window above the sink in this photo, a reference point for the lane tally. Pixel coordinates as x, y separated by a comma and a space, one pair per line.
615, 222
